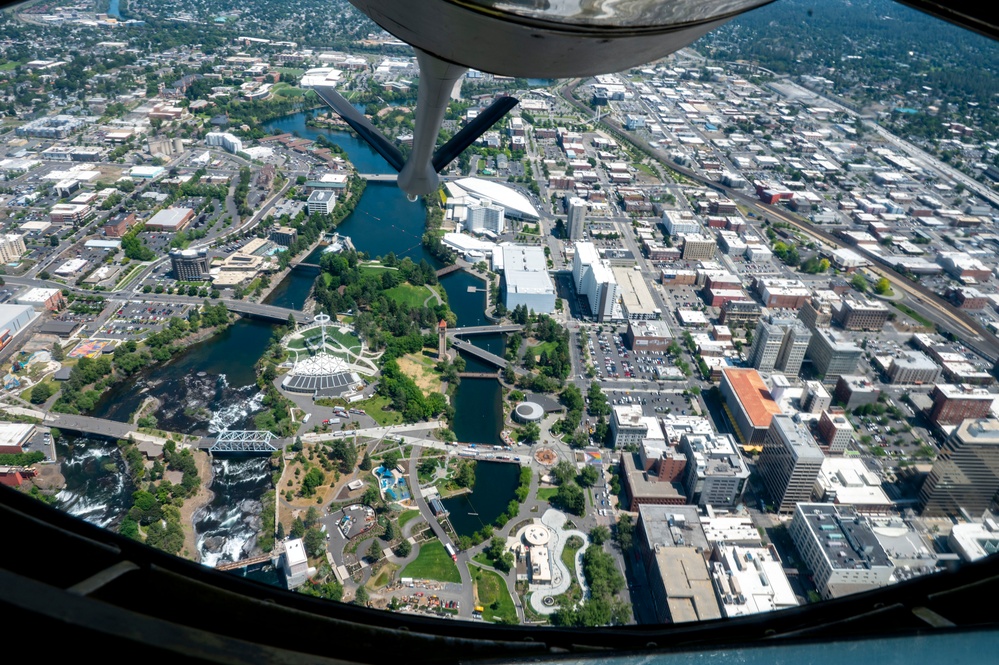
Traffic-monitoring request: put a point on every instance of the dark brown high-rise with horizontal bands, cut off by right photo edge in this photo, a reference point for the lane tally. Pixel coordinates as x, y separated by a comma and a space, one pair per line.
966, 472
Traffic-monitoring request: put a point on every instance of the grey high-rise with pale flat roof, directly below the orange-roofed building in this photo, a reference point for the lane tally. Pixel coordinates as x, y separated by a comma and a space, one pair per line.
790, 463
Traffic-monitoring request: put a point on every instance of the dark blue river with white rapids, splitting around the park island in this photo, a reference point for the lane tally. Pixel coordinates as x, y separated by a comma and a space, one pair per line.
211, 386
